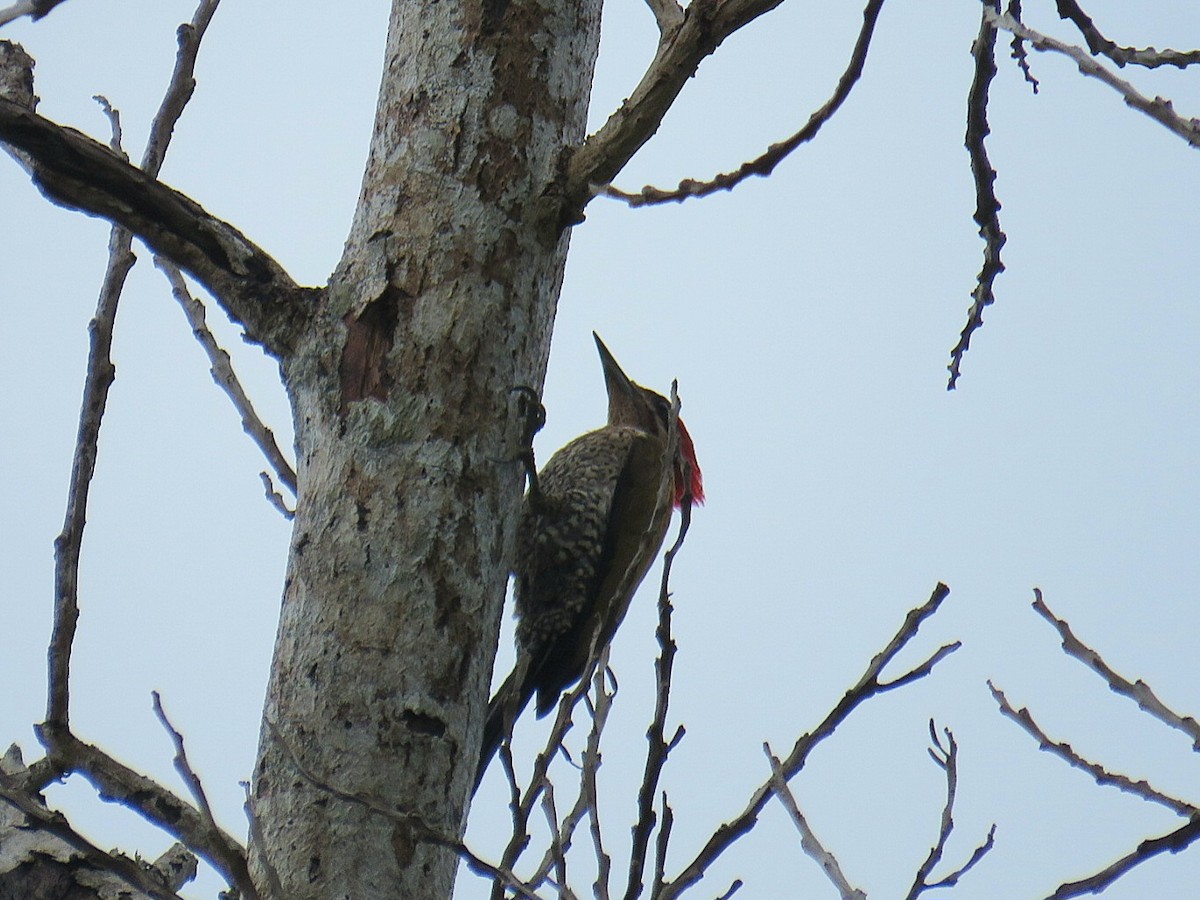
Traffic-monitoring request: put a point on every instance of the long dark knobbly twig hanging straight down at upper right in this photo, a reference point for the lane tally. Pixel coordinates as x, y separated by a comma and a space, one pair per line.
987, 214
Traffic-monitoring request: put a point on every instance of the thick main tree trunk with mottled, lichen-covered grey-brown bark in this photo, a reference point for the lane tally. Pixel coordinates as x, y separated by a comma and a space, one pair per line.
401, 387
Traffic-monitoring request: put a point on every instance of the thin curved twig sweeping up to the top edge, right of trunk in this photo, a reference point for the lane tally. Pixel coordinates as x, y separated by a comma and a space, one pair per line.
776, 154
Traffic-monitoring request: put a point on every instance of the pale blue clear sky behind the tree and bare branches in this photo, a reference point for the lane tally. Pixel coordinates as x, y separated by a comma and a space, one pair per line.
808, 319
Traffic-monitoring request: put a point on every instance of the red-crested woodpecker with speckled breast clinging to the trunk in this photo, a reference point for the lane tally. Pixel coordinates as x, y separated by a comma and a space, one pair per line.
590, 530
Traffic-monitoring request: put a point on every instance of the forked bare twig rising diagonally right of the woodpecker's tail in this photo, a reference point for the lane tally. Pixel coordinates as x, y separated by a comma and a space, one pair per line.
868, 687
